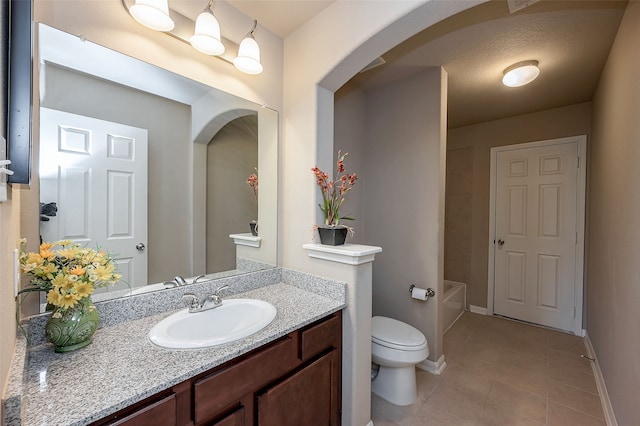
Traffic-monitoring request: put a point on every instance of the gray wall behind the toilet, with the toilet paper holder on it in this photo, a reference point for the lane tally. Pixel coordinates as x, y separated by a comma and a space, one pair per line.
403, 200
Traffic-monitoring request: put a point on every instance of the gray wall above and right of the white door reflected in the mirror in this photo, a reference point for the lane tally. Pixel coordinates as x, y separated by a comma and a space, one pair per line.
169, 126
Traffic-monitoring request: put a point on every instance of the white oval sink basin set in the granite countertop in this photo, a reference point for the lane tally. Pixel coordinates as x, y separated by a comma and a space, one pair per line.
233, 320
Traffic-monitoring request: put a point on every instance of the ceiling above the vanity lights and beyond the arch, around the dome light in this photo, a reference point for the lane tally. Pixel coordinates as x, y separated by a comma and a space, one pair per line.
570, 39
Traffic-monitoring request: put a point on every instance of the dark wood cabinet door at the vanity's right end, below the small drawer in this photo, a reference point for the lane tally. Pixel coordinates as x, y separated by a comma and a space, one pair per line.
309, 397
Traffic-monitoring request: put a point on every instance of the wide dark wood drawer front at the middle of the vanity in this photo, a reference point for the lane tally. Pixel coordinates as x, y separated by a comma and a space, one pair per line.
213, 393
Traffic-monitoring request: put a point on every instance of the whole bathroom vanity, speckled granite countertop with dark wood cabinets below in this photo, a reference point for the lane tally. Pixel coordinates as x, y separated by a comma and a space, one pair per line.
287, 373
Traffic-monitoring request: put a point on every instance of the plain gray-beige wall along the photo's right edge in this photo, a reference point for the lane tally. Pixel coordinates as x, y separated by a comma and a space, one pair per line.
614, 233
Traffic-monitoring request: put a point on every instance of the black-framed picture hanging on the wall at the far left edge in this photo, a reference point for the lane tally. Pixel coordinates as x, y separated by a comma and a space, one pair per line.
20, 90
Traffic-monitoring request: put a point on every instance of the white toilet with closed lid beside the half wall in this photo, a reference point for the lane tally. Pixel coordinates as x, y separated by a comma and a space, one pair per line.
396, 347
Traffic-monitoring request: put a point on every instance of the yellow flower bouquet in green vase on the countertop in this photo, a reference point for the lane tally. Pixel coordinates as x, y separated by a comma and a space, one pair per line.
69, 273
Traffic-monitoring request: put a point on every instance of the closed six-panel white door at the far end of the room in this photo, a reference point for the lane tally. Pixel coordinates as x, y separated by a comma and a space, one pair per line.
536, 217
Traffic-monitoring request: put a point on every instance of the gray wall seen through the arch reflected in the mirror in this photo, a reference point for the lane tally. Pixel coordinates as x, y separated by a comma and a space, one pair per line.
231, 157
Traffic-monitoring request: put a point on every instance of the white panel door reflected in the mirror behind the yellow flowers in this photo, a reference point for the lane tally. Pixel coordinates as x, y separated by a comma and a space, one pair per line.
96, 173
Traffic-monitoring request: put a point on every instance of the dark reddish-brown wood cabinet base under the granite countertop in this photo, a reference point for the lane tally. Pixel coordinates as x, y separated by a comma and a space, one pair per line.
295, 380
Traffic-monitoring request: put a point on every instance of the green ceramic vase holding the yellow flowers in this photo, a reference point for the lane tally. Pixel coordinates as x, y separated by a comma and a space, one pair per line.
75, 327
